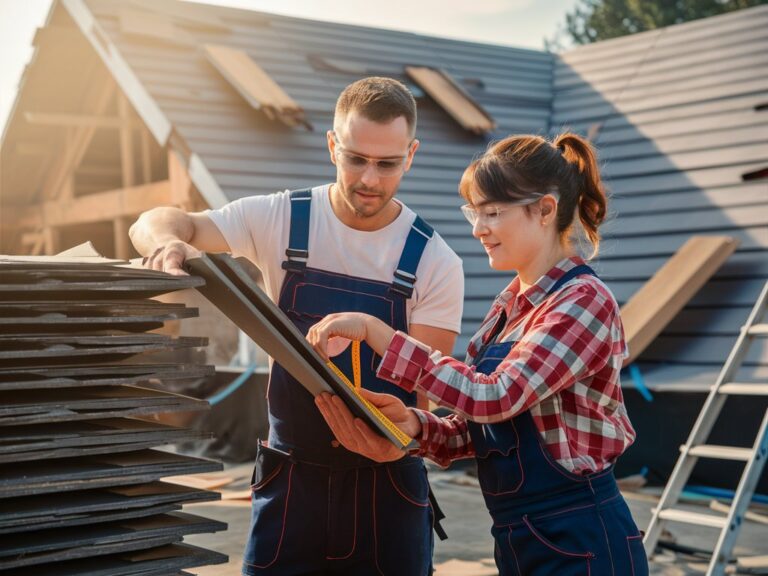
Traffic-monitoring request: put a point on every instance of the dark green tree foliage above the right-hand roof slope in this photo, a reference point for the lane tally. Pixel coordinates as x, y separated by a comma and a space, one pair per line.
595, 20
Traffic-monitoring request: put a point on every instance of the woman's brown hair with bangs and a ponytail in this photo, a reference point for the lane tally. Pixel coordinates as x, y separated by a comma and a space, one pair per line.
528, 167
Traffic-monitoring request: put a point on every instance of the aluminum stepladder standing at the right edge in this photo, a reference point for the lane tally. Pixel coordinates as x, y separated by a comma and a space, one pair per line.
754, 458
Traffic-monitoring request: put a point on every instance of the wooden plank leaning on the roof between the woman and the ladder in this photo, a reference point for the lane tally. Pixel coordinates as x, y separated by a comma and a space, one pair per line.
666, 293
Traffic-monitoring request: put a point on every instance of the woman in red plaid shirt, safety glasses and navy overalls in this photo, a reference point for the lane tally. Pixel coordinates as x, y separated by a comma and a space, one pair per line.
538, 402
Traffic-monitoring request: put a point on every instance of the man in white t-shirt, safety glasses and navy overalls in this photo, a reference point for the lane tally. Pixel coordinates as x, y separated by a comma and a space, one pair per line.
346, 246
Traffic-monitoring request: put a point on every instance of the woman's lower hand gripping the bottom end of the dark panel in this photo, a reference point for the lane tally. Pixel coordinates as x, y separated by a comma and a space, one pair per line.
357, 436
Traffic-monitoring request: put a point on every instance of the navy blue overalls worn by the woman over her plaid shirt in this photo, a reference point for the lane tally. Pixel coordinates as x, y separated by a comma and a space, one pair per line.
546, 520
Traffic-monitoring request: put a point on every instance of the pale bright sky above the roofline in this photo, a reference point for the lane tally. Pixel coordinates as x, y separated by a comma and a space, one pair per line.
521, 23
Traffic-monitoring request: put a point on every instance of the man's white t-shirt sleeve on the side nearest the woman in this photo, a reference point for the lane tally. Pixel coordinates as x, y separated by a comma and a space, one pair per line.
441, 297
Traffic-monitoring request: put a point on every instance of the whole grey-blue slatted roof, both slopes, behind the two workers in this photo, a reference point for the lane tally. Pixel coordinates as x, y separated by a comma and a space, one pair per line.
674, 111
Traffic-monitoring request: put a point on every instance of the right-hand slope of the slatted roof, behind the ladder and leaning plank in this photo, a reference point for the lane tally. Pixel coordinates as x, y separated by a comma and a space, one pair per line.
679, 128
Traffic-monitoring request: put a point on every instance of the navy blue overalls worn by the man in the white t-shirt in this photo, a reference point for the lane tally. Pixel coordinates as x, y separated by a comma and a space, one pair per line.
316, 507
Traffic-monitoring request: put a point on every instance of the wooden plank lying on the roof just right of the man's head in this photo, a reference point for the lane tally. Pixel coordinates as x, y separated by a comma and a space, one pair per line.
452, 98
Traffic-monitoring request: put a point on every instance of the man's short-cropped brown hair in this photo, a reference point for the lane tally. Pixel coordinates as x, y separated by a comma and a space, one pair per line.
378, 99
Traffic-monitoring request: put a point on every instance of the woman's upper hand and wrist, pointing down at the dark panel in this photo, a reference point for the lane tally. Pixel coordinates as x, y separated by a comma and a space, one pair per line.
352, 326
